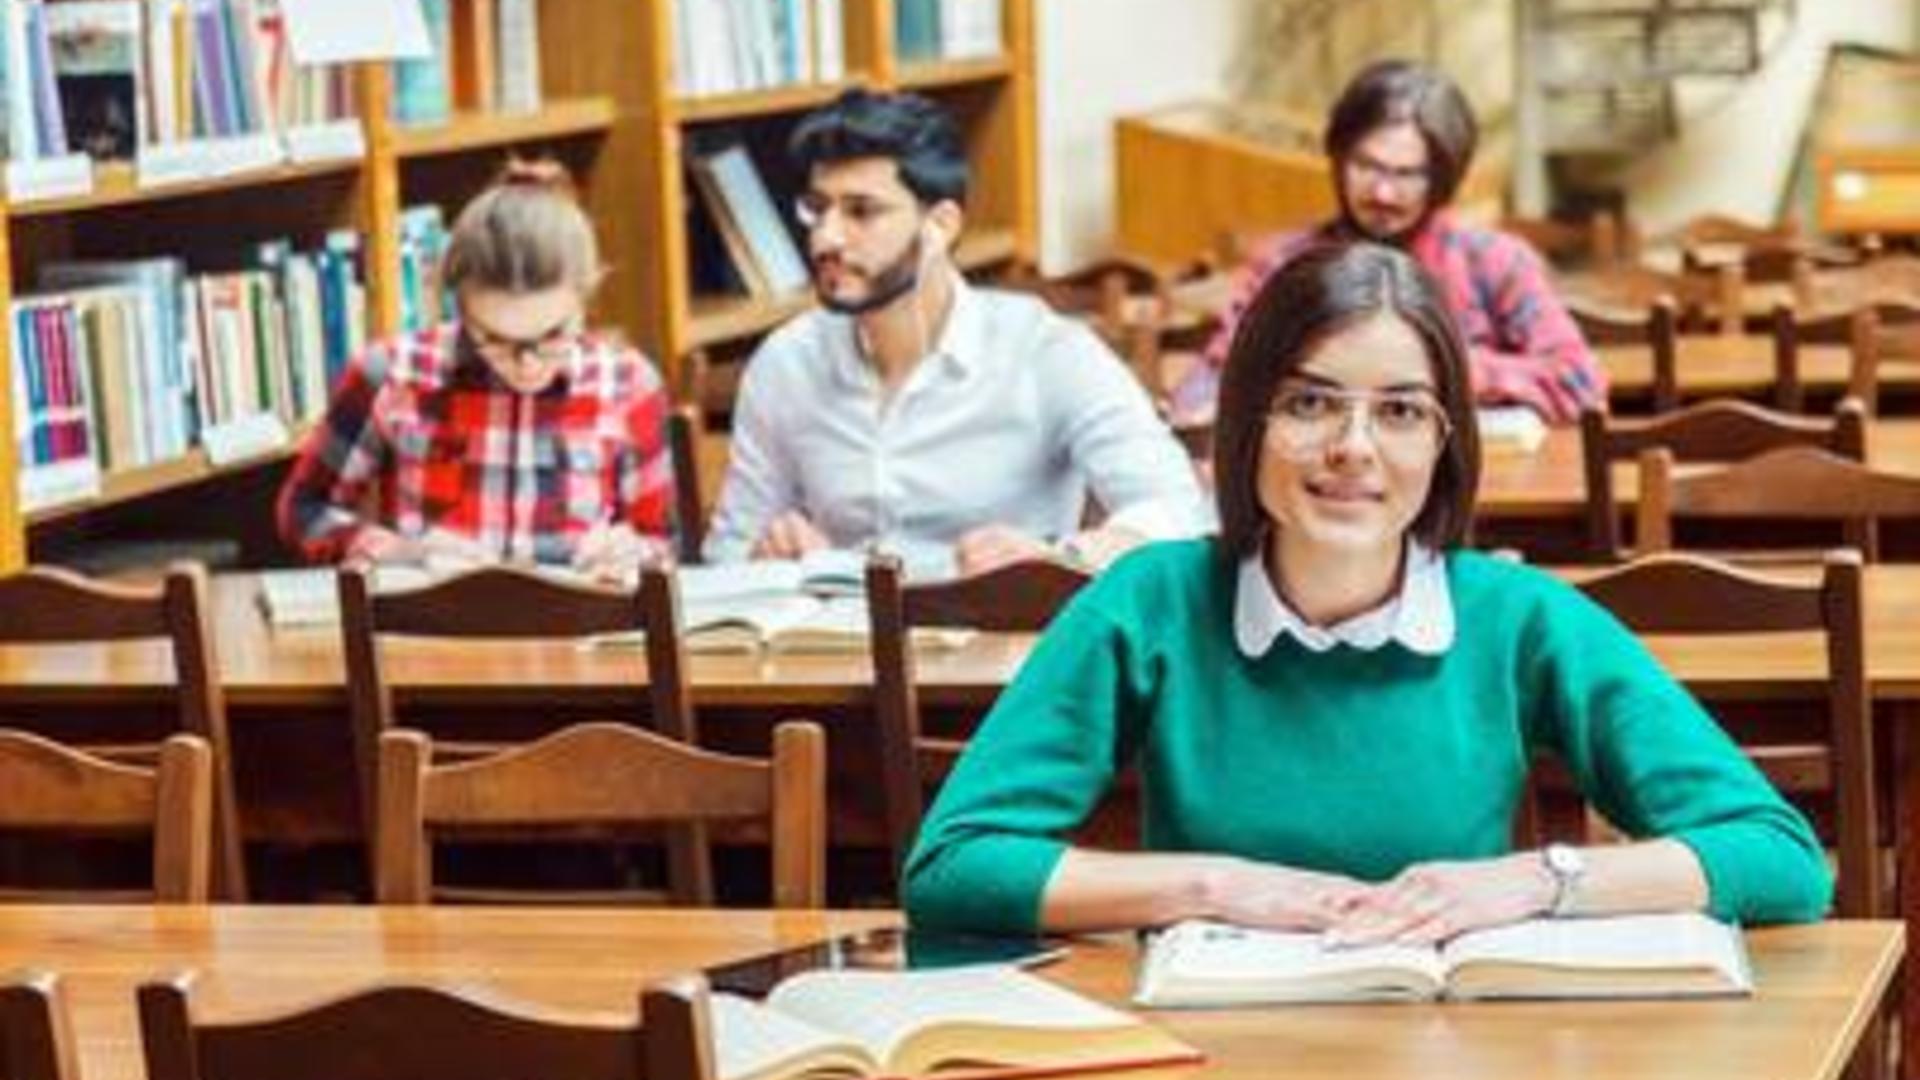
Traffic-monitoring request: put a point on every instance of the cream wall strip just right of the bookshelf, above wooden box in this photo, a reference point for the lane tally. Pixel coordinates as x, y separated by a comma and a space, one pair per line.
1176, 51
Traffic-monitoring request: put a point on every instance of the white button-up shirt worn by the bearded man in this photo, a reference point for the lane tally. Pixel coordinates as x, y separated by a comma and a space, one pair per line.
1013, 418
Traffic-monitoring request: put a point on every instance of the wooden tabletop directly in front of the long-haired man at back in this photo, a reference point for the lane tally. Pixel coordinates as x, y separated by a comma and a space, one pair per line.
1550, 483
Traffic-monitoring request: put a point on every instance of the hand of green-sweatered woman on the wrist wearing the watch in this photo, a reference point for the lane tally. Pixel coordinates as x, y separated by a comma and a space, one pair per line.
1433, 902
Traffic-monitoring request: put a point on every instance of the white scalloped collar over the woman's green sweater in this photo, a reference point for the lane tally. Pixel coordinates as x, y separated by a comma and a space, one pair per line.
1420, 616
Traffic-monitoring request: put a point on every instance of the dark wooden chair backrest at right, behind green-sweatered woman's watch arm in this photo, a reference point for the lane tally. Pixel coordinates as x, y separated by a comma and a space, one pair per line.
1694, 595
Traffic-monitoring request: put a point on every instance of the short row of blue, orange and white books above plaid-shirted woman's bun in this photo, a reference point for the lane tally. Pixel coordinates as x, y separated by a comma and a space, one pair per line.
487, 59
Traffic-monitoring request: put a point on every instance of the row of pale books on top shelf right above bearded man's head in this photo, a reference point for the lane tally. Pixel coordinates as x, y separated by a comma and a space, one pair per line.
727, 47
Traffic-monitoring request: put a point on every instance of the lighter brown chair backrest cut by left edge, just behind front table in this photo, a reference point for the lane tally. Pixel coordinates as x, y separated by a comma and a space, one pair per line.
59, 789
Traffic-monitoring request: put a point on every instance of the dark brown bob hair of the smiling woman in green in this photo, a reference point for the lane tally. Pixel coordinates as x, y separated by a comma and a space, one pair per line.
1318, 295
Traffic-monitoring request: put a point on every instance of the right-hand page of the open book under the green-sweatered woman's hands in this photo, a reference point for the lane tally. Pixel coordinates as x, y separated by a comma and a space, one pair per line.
1654, 945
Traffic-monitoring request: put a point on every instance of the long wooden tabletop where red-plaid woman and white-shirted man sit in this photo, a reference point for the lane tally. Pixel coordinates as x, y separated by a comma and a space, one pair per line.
264, 668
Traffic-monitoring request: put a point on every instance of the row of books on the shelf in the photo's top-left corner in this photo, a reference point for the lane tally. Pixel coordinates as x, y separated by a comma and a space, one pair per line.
110, 78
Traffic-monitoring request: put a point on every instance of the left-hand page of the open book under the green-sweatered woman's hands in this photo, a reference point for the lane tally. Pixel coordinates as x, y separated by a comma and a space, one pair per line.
1214, 964
